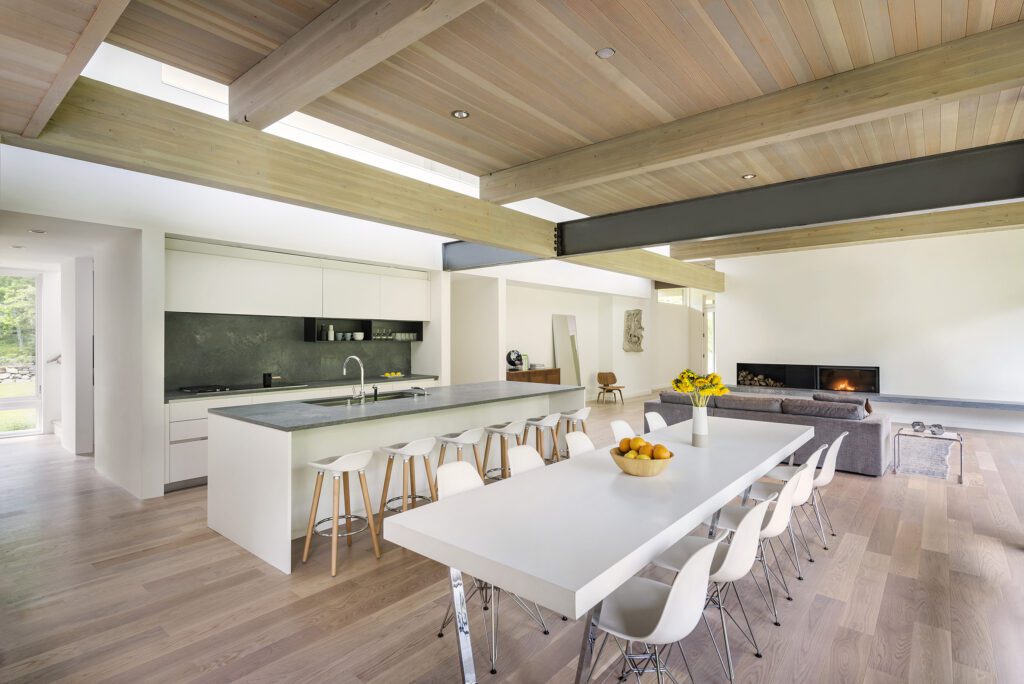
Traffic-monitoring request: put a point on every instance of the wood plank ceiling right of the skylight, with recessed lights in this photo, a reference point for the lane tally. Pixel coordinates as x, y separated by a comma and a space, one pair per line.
527, 73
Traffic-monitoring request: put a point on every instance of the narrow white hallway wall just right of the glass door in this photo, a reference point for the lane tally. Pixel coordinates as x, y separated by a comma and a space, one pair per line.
76, 350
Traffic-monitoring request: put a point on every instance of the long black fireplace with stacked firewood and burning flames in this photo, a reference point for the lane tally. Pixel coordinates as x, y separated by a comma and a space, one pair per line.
798, 376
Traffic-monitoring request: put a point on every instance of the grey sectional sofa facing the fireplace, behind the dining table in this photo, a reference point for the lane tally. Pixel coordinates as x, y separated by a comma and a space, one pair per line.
866, 450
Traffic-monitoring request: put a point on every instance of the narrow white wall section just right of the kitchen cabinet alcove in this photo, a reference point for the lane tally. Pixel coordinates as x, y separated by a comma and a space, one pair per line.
478, 329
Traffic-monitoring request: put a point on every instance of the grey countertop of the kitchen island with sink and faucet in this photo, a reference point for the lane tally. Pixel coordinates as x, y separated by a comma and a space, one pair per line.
292, 416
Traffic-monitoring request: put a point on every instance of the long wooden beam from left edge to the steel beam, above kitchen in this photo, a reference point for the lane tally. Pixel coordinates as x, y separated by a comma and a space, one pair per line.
107, 125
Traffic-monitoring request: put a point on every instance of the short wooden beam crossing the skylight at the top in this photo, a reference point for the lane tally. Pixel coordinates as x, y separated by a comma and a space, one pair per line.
345, 41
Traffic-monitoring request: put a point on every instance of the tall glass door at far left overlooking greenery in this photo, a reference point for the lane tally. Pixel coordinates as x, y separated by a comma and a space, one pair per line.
20, 396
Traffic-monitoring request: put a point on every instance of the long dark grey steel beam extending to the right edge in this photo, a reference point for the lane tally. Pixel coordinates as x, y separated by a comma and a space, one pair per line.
970, 177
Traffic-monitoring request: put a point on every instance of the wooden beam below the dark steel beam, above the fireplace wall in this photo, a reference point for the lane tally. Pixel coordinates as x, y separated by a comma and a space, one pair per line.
908, 227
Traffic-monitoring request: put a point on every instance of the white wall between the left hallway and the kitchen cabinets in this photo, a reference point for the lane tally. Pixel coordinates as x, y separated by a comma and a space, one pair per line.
130, 363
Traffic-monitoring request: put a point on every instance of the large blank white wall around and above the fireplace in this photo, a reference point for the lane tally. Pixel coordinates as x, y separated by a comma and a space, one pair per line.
942, 318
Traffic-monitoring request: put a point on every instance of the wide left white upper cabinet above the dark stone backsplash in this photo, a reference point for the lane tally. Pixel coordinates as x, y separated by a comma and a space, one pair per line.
217, 284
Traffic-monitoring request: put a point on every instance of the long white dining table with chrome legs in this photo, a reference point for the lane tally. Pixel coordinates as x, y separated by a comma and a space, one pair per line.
569, 535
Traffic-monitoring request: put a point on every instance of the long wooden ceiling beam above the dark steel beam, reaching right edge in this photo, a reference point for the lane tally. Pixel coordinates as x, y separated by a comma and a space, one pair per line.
984, 63
